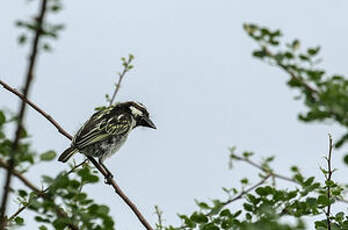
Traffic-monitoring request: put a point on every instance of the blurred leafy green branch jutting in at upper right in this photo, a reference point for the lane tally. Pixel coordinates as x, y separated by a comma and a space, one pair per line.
325, 96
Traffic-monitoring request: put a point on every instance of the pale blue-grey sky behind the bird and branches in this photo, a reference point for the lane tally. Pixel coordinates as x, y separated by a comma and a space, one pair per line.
194, 72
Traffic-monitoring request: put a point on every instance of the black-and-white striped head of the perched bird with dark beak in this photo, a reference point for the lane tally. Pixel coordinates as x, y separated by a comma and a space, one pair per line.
140, 114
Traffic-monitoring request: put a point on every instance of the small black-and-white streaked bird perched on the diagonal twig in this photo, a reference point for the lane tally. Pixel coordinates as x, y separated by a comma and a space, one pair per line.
107, 130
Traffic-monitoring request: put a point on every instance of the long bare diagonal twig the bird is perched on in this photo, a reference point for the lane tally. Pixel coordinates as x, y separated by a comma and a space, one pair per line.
110, 181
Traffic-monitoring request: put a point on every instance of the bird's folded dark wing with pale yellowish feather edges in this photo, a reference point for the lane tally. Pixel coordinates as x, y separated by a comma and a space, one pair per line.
98, 128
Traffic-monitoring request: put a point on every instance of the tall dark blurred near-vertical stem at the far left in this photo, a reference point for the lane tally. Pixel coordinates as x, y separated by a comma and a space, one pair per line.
28, 81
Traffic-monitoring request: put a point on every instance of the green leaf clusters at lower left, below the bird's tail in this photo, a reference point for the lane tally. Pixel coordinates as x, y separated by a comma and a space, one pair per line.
63, 201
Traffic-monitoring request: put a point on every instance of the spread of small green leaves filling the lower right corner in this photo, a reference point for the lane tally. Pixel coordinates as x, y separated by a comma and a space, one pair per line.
265, 205
